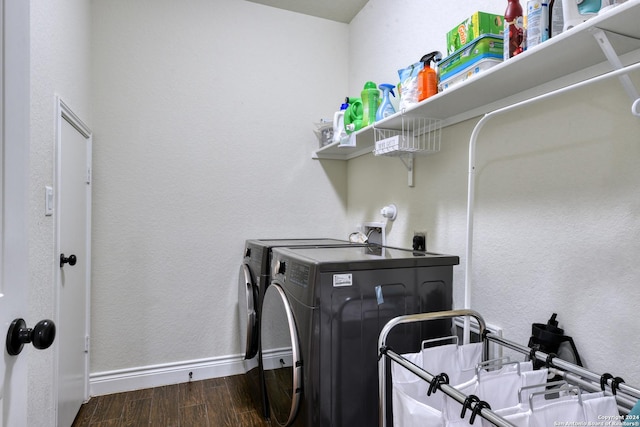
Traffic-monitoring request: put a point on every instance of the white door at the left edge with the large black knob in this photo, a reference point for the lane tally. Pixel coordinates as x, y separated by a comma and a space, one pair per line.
14, 173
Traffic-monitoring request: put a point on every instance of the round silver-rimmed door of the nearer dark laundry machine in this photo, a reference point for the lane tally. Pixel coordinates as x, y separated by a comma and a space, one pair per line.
281, 358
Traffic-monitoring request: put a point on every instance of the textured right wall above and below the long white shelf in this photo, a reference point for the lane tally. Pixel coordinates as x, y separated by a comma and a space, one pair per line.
557, 225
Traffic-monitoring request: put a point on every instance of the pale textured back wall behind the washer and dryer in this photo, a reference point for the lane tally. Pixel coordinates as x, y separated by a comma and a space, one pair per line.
203, 117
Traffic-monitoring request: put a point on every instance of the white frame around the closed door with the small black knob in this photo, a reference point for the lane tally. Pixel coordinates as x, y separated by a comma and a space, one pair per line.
63, 112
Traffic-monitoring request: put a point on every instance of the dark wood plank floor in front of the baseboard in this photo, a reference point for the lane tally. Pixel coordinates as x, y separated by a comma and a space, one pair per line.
218, 402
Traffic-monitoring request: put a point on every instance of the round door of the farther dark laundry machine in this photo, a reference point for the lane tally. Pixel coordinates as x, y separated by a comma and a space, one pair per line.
248, 312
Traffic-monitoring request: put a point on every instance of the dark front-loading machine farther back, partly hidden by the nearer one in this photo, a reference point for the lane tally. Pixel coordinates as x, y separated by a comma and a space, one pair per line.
253, 280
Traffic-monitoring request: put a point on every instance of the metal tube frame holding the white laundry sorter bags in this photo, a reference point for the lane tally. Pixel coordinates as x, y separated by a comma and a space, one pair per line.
625, 395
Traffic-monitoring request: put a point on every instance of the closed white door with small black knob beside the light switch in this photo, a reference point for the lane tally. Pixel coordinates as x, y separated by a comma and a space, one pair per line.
73, 219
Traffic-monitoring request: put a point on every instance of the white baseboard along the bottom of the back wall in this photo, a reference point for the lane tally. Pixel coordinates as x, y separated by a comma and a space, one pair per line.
118, 381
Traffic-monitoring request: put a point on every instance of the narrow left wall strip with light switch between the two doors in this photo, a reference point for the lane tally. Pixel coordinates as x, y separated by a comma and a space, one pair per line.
60, 49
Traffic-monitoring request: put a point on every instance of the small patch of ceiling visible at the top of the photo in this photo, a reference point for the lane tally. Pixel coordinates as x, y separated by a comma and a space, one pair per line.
335, 10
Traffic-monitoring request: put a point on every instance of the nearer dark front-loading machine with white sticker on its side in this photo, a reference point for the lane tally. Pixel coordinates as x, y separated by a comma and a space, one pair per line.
321, 318
